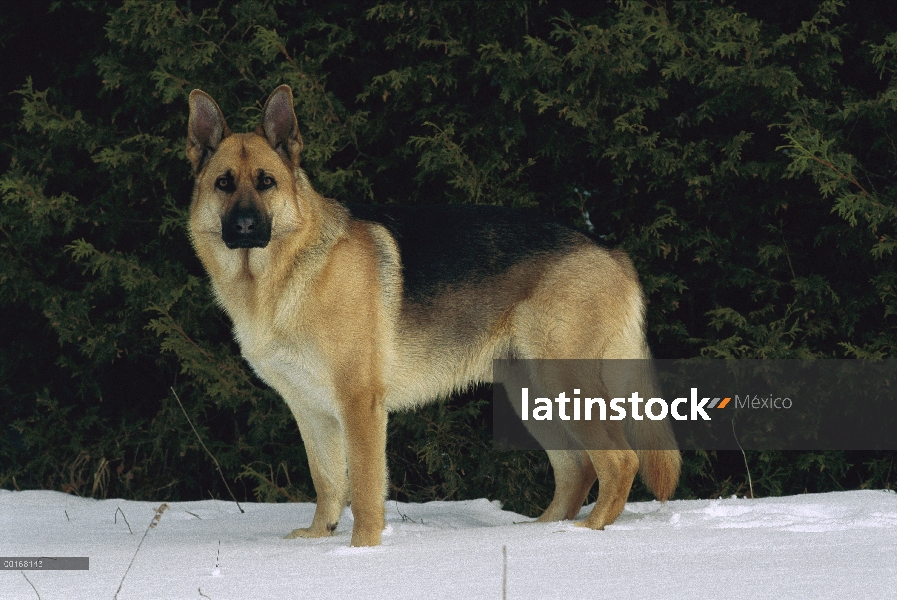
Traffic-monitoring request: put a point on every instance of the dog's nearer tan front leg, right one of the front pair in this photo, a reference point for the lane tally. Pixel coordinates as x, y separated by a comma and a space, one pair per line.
364, 421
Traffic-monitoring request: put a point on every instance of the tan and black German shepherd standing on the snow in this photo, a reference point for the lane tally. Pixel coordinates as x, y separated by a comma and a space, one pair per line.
350, 313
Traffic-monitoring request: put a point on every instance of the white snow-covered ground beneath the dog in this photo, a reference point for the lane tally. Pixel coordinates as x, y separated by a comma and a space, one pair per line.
838, 545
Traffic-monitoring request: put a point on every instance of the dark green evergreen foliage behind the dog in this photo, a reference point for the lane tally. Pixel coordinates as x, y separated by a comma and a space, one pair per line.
741, 152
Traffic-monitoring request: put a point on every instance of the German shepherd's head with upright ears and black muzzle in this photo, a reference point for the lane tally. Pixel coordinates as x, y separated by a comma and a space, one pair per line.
245, 182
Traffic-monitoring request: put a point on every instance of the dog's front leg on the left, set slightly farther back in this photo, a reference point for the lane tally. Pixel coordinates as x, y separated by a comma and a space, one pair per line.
326, 450
